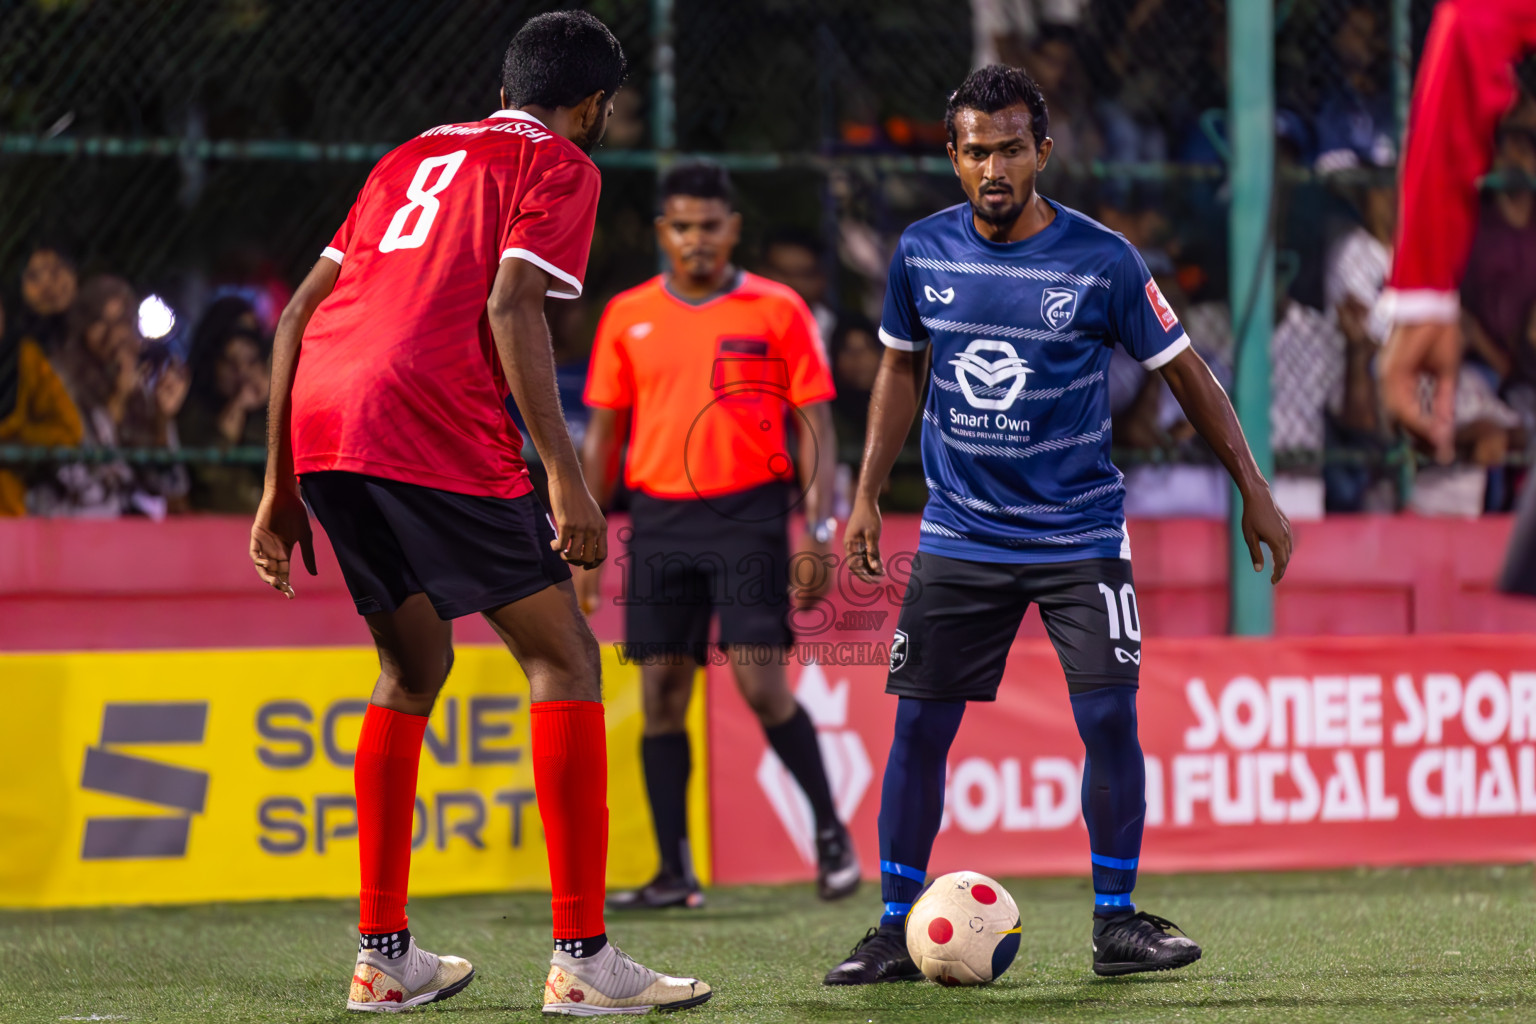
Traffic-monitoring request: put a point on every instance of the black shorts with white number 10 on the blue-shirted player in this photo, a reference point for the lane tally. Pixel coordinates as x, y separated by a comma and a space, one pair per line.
959, 621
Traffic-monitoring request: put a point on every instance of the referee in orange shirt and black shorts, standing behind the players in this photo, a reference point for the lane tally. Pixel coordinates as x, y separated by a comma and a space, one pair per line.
703, 368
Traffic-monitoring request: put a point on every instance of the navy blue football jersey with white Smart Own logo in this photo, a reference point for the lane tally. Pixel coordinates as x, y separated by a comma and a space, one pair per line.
1016, 428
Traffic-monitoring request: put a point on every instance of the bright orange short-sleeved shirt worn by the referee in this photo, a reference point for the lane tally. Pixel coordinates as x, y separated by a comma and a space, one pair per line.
712, 386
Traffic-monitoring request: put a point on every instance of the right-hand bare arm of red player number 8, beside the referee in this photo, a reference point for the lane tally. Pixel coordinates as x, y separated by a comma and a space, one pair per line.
523, 342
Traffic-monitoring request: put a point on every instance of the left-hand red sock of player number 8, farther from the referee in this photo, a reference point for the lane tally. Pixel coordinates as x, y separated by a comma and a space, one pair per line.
385, 776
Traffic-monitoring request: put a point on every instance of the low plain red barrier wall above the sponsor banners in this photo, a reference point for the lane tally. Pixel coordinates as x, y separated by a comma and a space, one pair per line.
188, 583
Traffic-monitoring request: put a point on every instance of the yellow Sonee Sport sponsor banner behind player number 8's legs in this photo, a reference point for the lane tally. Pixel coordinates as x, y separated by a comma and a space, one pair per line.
191, 776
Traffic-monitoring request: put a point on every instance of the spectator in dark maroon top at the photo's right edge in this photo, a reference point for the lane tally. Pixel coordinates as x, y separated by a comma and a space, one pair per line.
1500, 288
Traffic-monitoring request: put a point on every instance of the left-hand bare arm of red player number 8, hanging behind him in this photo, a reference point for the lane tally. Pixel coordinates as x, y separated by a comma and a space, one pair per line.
282, 521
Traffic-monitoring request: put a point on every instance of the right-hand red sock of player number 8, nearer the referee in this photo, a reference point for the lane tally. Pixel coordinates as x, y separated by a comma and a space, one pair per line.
571, 778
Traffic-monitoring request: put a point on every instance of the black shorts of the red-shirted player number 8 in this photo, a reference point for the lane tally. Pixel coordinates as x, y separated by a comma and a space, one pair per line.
465, 552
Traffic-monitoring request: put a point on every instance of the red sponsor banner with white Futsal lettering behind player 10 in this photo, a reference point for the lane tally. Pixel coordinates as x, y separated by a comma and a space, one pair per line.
1262, 755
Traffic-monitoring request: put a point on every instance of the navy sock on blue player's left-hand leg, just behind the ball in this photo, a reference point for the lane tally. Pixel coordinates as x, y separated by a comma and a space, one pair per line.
913, 799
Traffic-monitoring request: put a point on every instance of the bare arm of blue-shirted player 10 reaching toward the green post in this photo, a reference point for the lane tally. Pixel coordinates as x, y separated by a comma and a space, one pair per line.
1210, 412
